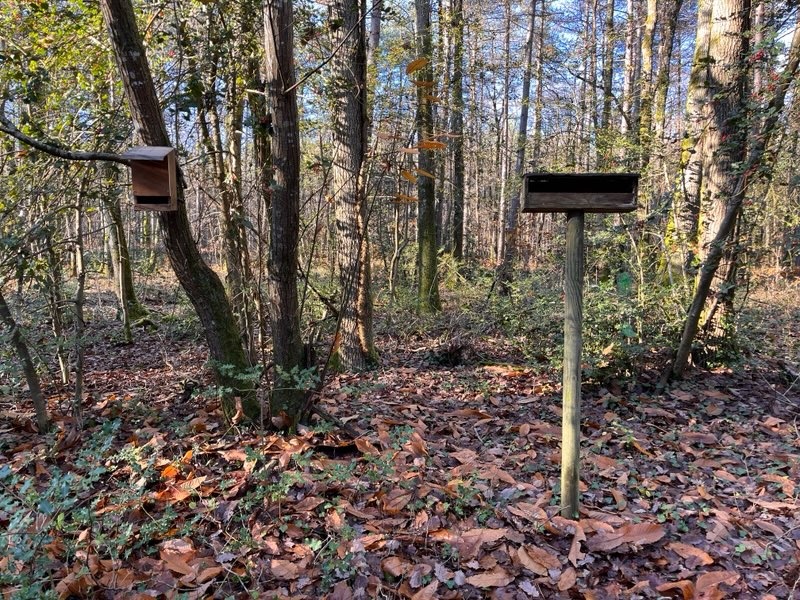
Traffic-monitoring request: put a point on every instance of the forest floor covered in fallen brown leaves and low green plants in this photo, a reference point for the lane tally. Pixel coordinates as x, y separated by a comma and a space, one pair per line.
449, 492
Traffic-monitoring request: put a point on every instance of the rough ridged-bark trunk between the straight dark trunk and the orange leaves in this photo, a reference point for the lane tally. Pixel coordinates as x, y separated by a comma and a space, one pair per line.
349, 143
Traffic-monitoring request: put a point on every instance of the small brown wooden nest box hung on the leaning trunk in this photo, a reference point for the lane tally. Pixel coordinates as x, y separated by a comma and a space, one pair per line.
153, 177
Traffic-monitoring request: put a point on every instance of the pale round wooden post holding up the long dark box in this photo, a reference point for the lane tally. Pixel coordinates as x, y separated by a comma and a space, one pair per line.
573, 342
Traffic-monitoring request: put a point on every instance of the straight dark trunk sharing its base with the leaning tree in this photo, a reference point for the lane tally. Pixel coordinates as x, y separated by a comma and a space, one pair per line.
284, 209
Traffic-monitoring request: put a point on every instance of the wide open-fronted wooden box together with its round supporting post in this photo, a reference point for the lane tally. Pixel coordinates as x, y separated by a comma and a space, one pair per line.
576, 194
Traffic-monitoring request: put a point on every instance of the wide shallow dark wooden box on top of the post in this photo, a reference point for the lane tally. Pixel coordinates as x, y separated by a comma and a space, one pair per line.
586, 192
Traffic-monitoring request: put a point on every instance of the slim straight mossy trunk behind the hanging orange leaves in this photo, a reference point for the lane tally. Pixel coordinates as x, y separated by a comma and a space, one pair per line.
427, 260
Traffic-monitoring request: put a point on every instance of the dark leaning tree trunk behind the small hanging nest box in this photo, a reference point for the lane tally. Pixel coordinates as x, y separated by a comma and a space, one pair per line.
202, 286
